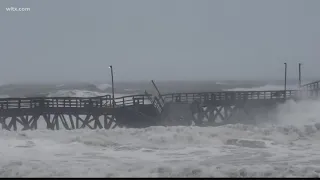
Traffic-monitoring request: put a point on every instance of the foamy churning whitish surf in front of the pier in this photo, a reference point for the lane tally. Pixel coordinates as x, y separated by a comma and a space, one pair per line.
286, 146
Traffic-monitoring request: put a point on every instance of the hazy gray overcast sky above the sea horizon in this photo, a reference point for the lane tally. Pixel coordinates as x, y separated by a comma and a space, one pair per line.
76, 40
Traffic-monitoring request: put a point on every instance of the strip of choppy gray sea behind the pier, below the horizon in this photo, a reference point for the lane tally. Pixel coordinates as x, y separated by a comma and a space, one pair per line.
94, 89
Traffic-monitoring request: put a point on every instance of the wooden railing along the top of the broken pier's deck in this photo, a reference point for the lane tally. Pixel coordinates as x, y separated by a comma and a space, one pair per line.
106, 101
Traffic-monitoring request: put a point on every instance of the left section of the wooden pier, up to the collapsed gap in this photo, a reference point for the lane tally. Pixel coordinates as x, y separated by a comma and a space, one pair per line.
71, 112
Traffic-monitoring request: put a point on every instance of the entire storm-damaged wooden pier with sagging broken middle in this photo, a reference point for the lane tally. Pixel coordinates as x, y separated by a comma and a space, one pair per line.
139, 111
